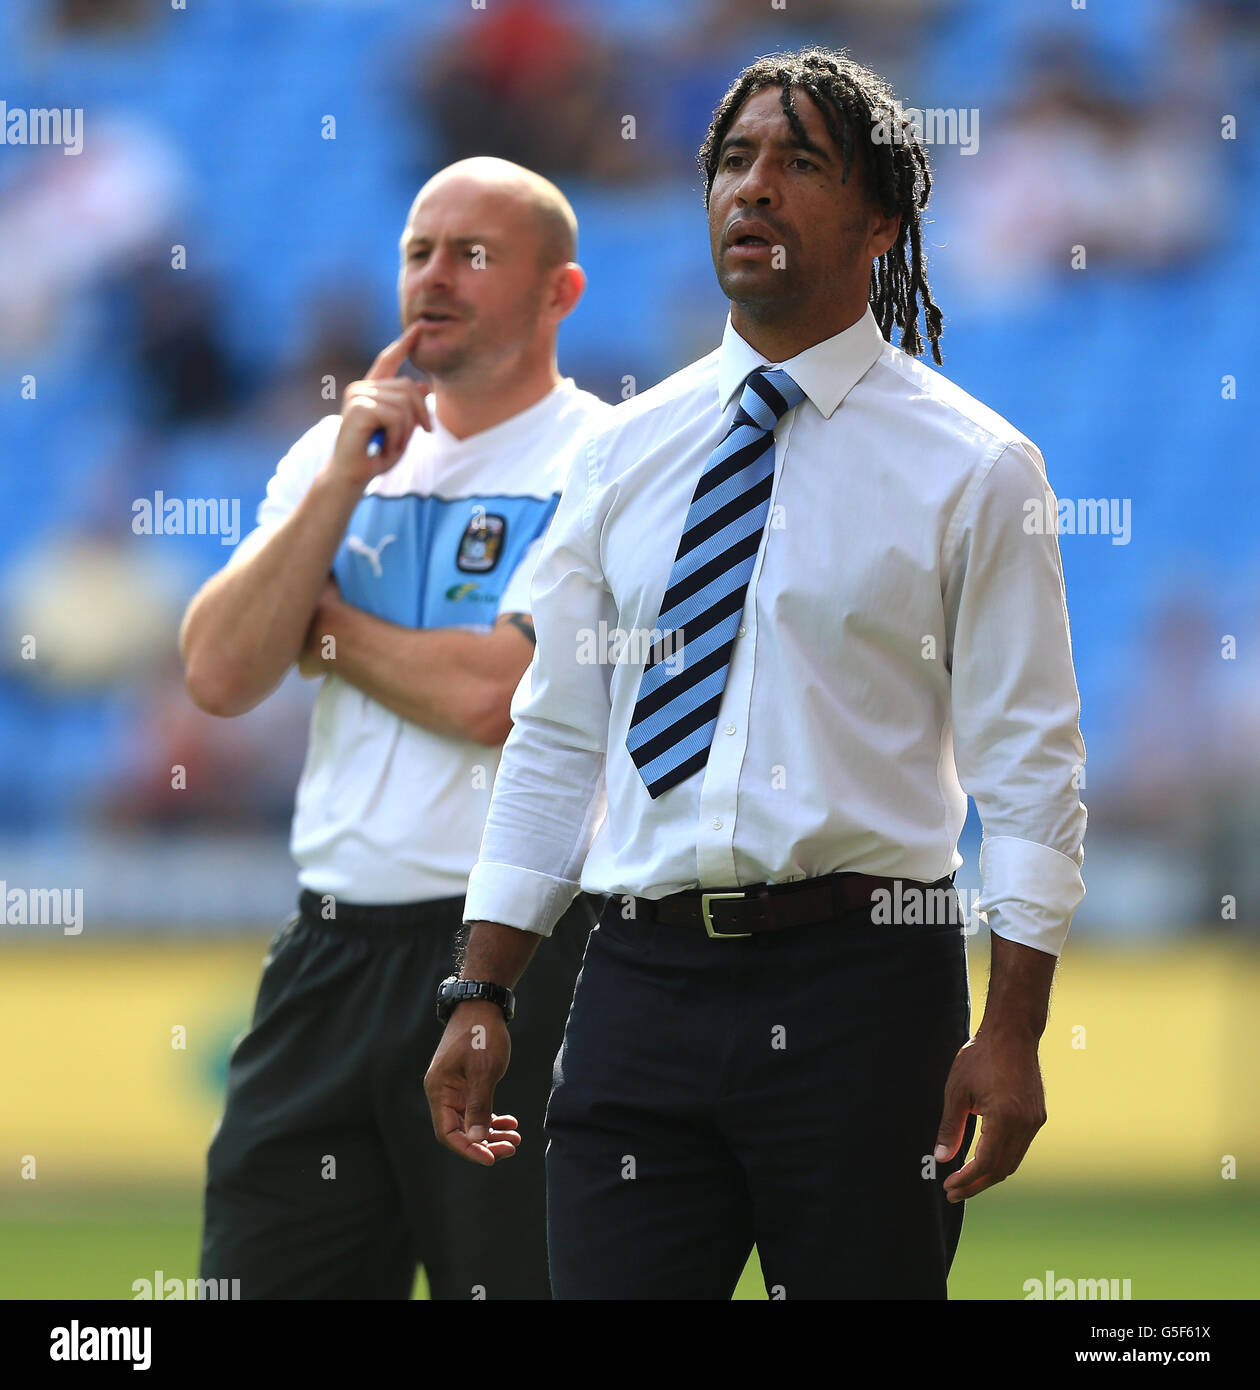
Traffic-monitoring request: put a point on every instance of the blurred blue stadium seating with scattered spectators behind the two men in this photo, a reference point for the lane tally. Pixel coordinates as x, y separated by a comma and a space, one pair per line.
1098, 134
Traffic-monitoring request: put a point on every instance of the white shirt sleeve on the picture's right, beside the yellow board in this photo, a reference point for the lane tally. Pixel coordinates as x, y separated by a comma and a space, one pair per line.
1016, 707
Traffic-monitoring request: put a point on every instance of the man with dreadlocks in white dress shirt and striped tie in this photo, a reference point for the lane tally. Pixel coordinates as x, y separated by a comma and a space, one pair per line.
828, 626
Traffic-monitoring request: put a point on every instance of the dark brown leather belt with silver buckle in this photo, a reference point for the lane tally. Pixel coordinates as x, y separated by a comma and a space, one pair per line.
742, 913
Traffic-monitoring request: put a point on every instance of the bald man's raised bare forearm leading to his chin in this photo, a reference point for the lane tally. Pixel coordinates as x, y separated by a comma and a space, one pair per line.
247, 626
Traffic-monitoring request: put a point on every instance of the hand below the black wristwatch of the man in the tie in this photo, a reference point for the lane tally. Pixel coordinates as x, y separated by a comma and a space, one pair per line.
468, 1065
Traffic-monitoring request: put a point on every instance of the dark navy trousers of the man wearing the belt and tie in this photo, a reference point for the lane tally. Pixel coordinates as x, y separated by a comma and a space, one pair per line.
782, 1089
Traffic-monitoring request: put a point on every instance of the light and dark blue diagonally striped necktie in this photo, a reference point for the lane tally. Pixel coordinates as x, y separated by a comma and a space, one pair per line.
677, 711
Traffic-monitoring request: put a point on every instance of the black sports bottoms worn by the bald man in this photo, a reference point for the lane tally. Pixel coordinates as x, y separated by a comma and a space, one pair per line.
325, 1178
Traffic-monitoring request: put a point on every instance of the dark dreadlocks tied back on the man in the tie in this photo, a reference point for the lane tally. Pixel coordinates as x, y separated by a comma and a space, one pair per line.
853, 99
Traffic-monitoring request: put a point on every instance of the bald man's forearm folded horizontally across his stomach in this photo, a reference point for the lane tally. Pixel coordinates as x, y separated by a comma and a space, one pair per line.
447, 680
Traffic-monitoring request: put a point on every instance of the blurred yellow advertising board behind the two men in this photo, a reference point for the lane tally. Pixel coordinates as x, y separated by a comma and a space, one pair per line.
116, 1057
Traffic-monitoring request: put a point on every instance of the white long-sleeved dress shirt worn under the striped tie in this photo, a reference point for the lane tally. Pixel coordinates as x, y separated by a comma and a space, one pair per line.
905, 643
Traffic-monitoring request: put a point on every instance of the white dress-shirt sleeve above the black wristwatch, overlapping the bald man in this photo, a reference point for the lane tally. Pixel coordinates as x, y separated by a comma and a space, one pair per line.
549, 794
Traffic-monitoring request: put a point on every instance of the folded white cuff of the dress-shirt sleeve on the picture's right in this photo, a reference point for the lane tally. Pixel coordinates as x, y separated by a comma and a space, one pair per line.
1030, 892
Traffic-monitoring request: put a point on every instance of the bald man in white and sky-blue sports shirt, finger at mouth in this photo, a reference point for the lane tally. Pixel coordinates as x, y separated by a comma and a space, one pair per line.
401, 580
